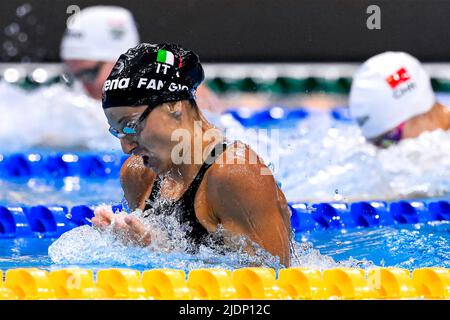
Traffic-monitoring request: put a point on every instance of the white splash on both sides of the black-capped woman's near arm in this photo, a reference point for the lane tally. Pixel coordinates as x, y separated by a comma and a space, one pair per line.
170, 247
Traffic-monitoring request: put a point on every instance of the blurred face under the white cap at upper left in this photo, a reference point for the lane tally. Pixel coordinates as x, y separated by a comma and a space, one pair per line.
92, 74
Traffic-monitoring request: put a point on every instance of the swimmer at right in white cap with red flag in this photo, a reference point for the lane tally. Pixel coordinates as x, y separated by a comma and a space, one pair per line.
392, 99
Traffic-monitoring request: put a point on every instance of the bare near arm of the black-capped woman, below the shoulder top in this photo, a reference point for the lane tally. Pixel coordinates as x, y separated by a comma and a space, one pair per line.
246, 202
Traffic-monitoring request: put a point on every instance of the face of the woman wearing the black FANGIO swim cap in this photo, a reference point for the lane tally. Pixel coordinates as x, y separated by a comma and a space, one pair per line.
152, 140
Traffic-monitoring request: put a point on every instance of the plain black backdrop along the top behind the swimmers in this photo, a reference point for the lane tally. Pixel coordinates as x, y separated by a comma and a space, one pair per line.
246, 30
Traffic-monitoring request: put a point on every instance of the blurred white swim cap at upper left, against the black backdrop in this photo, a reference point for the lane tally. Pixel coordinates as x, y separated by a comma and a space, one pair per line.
100, 33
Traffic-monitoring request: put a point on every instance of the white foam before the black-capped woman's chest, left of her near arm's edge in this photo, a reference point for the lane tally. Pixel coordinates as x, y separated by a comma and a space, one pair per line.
169, 247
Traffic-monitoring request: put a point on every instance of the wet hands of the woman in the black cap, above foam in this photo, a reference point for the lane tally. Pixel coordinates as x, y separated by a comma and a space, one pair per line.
126, 227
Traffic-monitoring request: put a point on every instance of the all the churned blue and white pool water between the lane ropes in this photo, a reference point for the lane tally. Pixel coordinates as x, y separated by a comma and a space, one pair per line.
315, 159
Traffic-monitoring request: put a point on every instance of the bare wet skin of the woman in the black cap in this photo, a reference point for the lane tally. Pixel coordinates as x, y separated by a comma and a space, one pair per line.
233, 193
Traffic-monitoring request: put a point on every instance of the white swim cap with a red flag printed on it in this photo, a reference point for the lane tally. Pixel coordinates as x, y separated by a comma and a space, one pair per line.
387, 90
